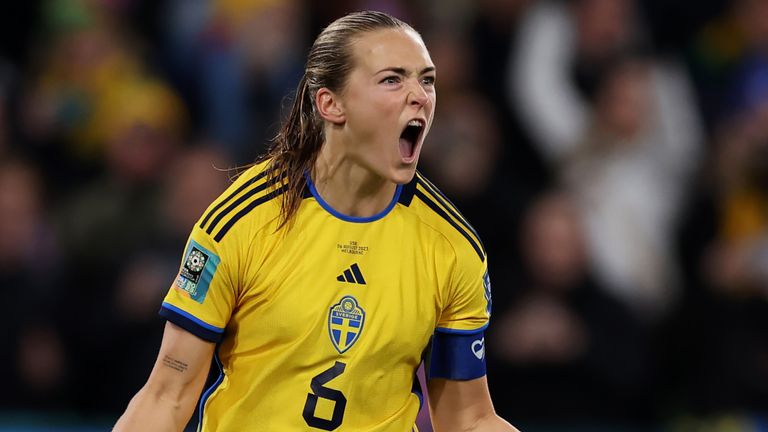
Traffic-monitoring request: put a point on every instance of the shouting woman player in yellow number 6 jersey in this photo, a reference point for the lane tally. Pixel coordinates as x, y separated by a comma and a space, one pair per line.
319, 278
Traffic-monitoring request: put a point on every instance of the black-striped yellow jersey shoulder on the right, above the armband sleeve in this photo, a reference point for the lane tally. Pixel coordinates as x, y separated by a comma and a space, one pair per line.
433, 208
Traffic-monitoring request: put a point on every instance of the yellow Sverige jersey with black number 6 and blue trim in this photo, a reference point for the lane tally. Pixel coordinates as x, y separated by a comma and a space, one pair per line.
323, 324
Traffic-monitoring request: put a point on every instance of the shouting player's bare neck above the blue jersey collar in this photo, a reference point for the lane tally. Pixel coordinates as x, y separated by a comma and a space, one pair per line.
348, 187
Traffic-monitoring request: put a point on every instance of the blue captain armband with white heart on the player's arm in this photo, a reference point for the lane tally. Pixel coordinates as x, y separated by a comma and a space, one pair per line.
457, 354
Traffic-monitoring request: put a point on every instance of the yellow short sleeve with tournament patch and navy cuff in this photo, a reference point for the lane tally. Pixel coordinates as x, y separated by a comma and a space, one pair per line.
202, 296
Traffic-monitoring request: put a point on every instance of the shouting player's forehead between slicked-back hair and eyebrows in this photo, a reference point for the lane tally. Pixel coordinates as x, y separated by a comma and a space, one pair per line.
380, 49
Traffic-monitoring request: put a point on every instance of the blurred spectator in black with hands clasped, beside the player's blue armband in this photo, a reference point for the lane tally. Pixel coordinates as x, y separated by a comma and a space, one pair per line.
566, 350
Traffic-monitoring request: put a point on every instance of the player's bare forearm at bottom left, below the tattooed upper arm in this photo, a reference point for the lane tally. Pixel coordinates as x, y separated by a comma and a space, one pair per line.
151, 411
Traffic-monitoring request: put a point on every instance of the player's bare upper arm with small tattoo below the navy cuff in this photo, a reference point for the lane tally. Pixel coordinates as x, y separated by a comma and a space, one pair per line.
181, 367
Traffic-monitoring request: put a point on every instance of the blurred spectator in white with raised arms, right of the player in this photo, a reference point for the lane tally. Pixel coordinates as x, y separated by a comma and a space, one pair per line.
620, 128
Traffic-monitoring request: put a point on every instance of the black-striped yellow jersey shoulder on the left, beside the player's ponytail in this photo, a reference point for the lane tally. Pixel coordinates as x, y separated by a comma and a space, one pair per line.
249, 202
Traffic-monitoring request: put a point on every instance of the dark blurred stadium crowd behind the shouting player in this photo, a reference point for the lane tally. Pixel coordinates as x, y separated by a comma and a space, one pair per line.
613, 155
